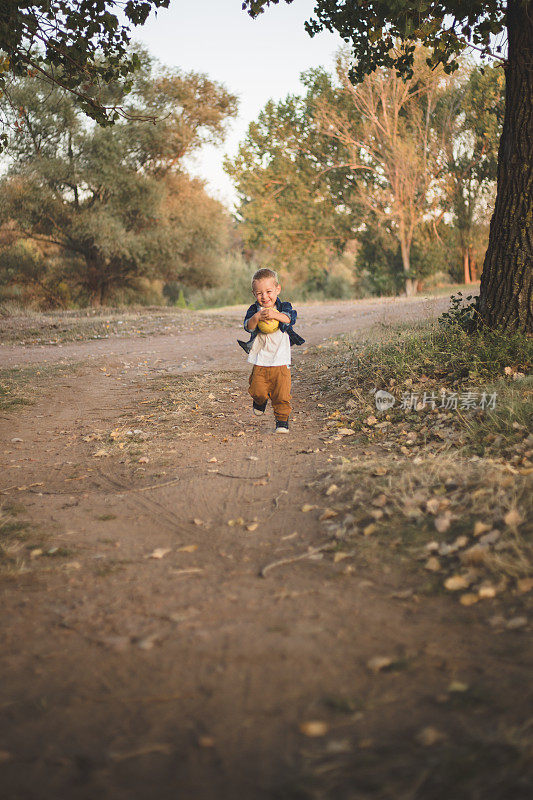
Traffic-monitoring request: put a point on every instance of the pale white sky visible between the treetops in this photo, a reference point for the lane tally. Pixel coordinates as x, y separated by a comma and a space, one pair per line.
255, 59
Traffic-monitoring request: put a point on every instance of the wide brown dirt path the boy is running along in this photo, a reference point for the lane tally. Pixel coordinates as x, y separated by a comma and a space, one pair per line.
127, 675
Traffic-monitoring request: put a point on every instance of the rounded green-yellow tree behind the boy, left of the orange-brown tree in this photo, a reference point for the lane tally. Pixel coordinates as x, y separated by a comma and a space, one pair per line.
295, 207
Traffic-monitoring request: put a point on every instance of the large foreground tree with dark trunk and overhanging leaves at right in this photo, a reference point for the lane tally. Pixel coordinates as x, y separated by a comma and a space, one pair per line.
447, 28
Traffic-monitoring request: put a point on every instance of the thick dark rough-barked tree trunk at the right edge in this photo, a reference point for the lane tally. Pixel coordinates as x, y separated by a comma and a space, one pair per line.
506, 282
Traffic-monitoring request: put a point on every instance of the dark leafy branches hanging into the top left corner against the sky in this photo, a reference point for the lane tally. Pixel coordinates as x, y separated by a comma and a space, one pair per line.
79, 45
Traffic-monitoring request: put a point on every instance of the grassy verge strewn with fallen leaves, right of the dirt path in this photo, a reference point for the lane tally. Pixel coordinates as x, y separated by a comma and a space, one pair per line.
451, 489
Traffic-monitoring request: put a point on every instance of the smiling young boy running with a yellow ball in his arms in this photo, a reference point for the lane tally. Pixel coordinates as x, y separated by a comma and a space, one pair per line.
269, 321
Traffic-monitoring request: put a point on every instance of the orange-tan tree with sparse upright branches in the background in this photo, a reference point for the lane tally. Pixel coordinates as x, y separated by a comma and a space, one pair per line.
393, 146
